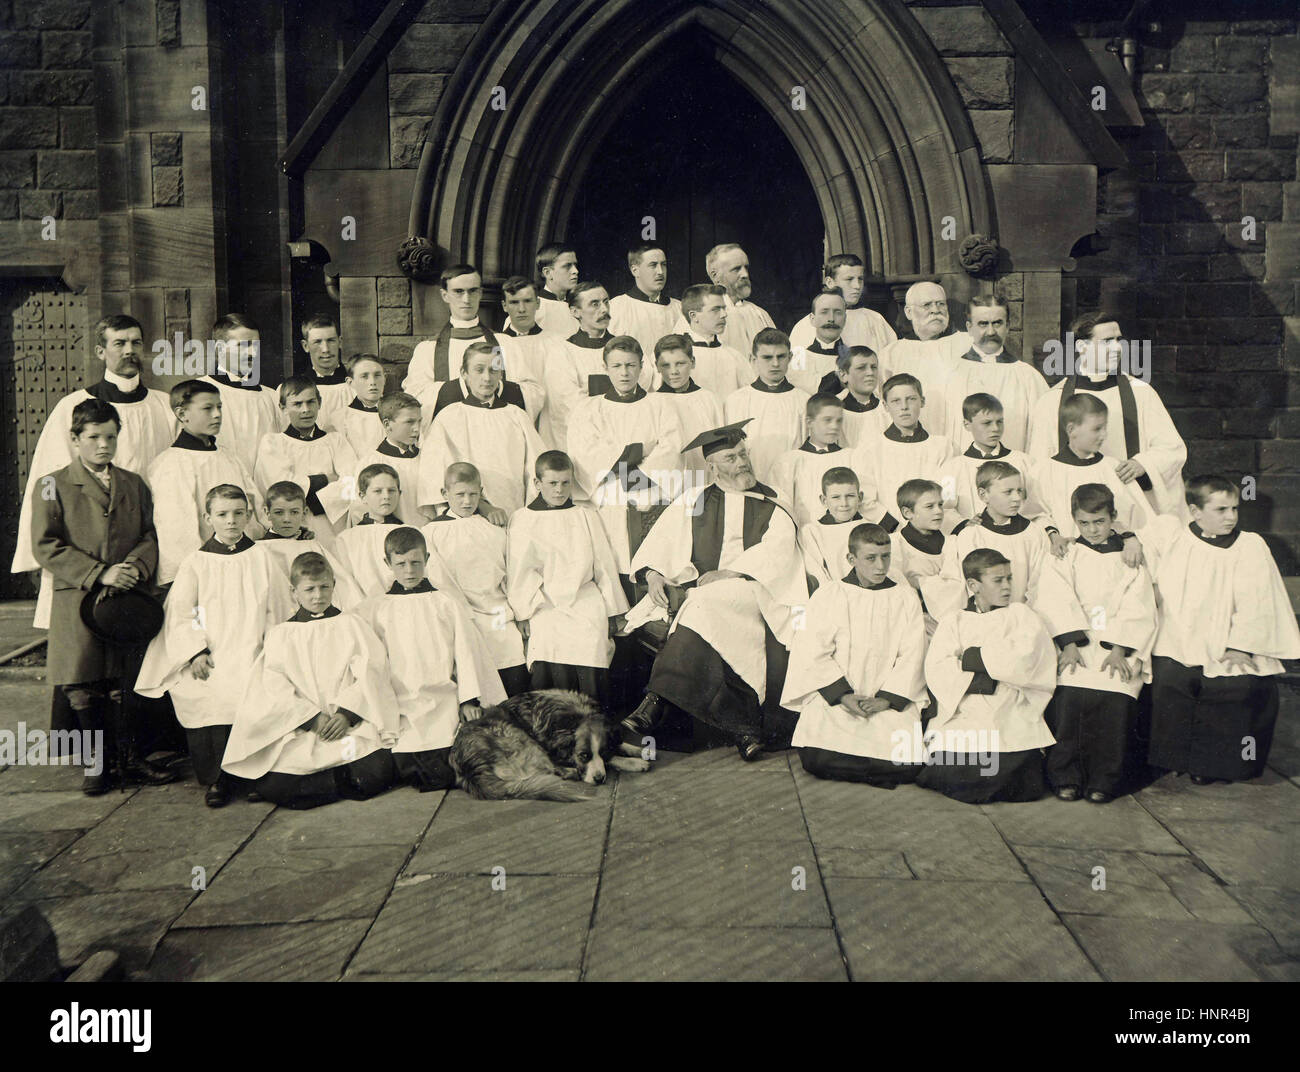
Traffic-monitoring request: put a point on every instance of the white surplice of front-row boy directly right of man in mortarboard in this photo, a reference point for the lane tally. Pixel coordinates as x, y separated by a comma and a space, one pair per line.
870, 641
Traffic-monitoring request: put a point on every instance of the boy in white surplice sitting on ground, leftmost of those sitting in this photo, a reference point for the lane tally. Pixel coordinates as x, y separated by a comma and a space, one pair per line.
318, 721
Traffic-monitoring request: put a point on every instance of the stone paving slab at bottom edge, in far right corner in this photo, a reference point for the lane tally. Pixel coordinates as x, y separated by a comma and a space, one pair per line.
1188, 952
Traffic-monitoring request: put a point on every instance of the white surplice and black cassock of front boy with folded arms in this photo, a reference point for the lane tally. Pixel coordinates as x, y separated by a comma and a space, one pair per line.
993, 675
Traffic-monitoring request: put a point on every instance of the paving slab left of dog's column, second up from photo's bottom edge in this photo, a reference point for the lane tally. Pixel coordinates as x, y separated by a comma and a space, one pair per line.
271, 886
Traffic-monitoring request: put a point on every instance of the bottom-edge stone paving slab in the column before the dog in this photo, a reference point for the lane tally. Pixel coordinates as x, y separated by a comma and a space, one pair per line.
457, 923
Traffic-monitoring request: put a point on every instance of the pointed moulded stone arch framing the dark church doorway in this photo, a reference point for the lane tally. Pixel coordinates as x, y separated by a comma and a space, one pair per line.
885, 140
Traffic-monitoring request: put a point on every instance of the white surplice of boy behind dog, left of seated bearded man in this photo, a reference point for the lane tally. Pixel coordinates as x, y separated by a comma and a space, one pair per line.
564, 580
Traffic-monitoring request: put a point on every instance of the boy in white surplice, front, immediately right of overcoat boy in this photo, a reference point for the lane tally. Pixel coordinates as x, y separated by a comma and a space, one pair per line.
226, 597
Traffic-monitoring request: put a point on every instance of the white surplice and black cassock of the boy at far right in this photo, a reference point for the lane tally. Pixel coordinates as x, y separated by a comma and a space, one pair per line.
1216, 594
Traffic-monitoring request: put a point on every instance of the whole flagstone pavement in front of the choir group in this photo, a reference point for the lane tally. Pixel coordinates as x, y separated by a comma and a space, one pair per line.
705, 869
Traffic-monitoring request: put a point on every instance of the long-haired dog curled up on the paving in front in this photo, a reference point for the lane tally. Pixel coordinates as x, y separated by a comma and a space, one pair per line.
544, 747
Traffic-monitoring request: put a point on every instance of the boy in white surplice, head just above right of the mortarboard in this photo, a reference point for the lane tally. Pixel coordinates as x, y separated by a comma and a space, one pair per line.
775, 406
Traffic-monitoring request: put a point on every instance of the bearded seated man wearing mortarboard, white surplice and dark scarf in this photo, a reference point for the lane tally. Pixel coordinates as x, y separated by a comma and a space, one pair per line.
734, 550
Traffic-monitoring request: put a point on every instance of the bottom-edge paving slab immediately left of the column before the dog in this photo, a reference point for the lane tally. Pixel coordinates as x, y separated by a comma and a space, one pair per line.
293, 953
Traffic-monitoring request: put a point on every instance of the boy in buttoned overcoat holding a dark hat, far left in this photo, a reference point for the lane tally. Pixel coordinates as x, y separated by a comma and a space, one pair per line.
93, 531
